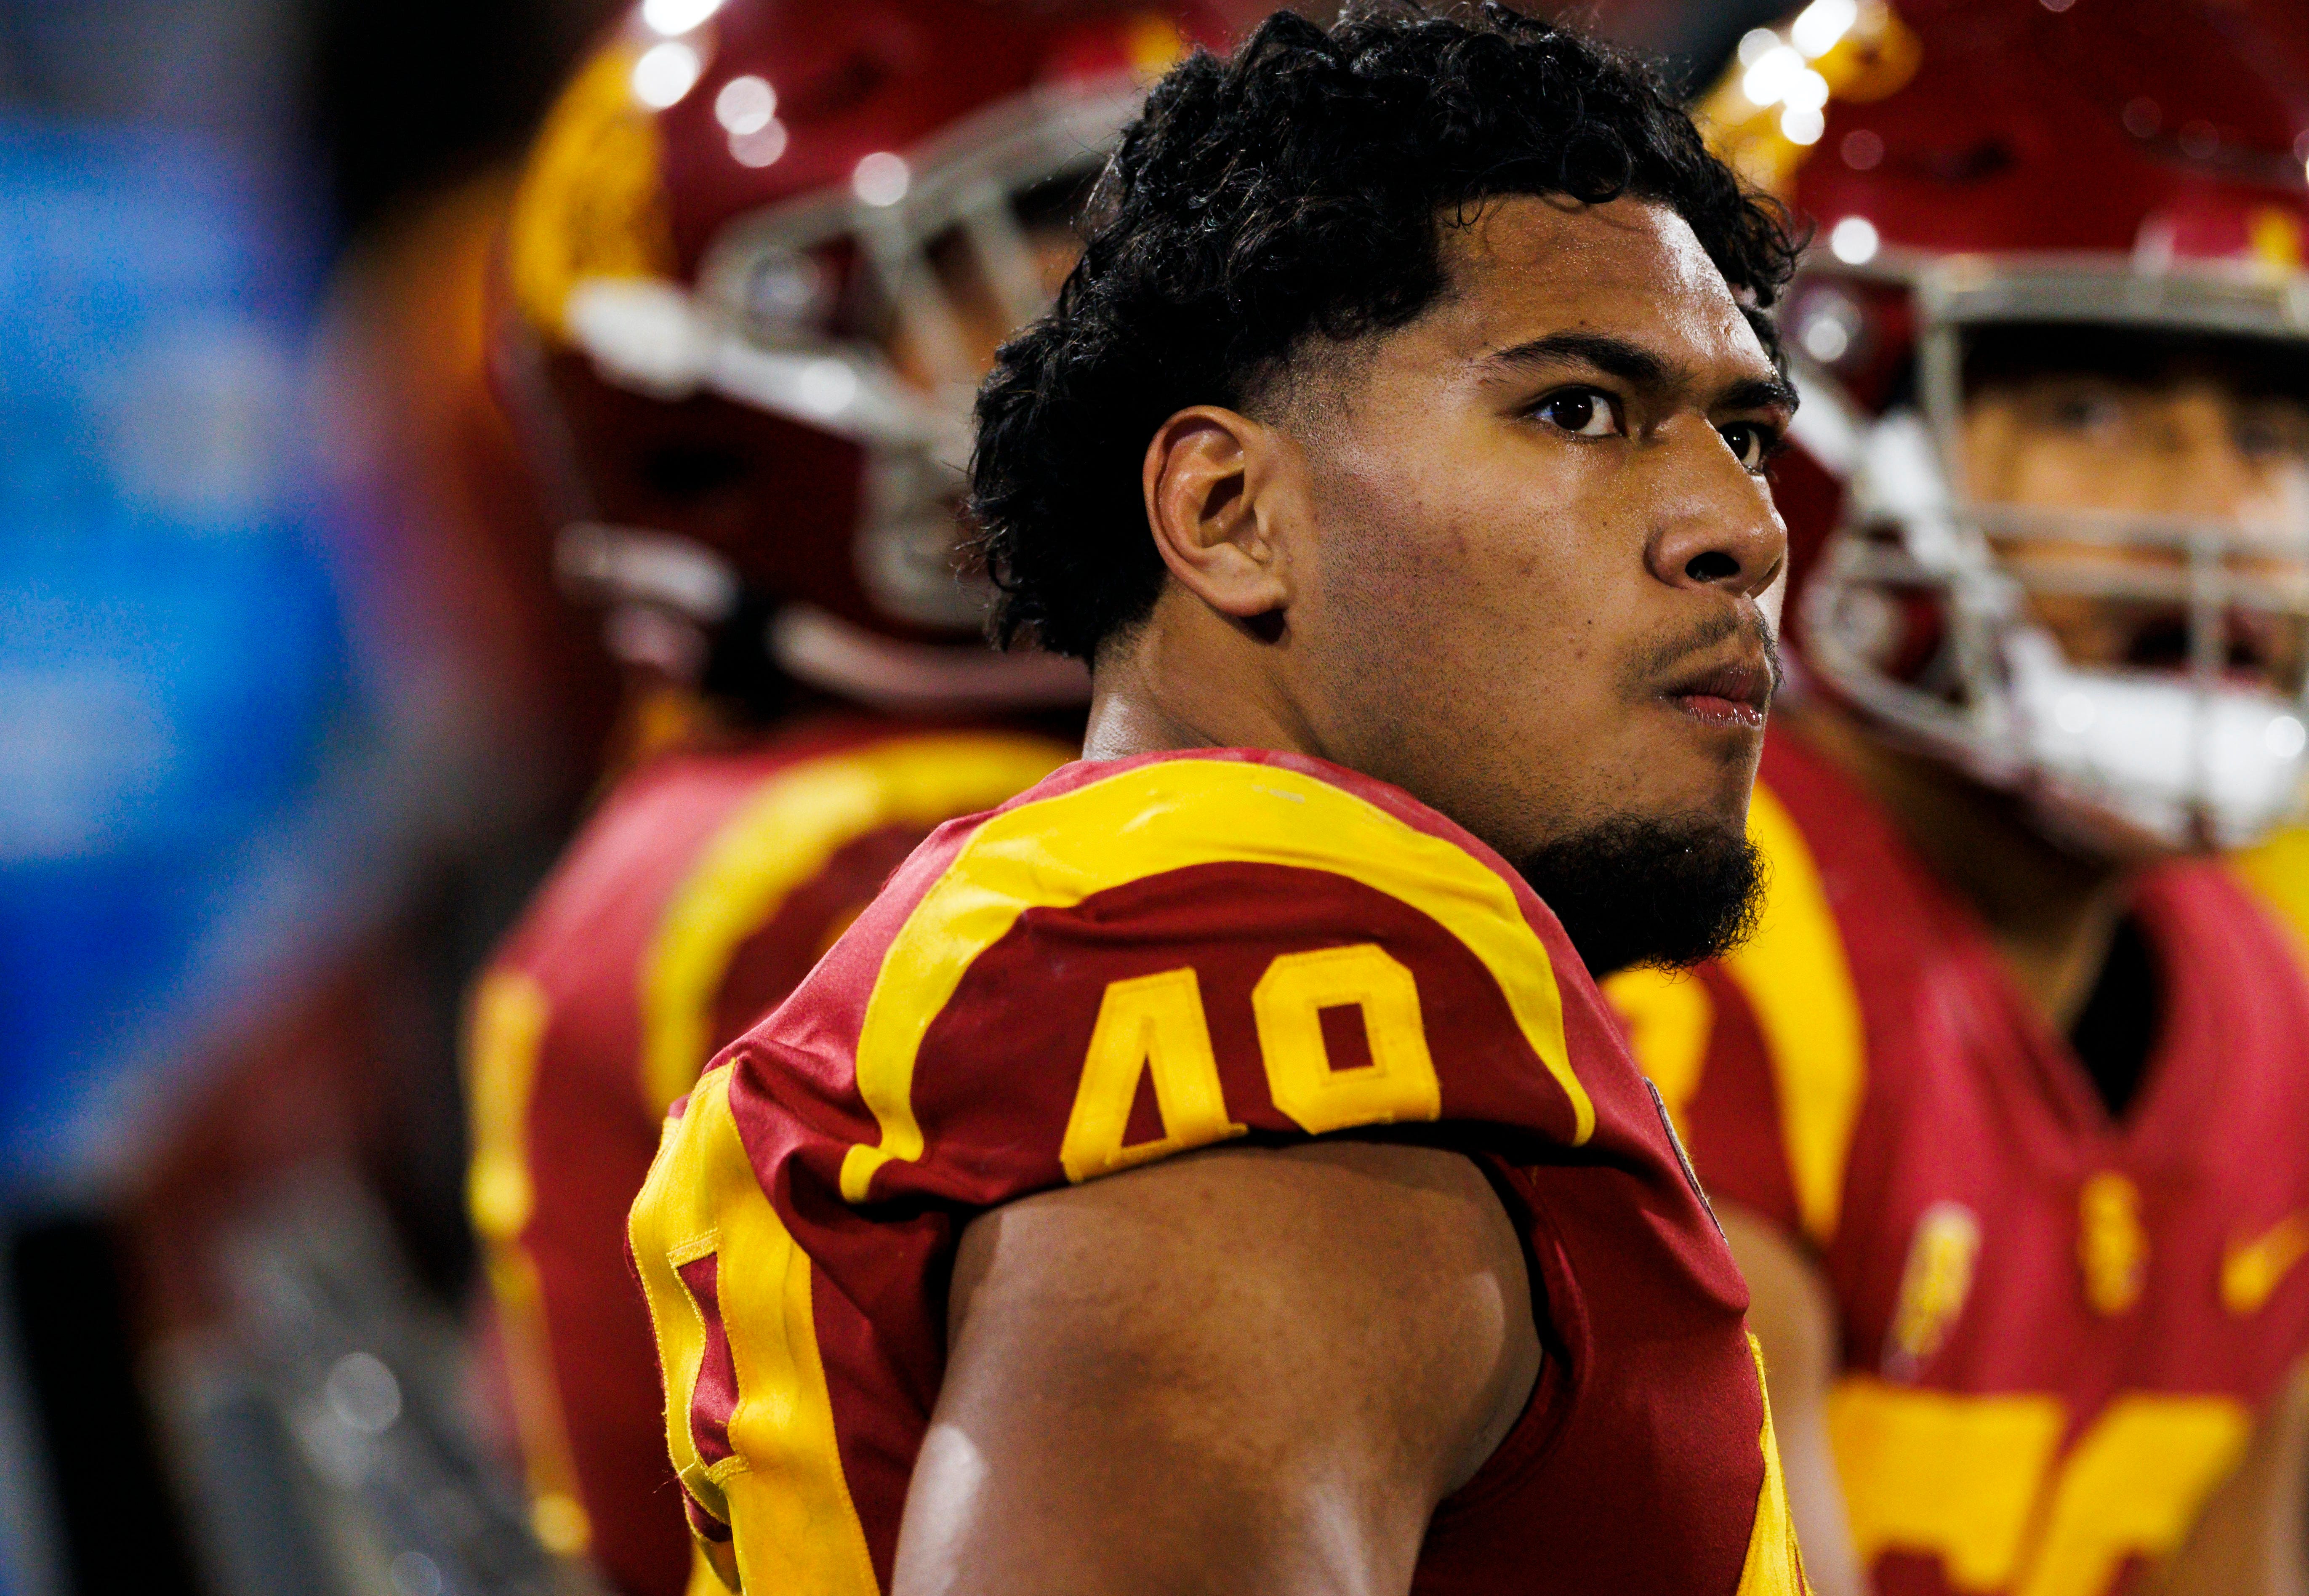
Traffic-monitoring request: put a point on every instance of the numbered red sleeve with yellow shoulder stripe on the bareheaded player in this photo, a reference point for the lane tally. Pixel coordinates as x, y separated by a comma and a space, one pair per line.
1195, 953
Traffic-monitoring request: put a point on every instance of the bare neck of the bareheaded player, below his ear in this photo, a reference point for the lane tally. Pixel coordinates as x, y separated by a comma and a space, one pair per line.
1190, 680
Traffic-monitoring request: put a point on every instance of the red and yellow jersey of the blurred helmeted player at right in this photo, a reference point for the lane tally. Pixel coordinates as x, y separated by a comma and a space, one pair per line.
2056, 1327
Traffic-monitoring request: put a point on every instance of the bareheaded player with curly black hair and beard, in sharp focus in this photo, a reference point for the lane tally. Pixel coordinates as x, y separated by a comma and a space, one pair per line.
1216, 1168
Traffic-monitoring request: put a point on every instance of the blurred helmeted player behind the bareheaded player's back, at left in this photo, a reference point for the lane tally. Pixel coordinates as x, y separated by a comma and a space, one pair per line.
756, 267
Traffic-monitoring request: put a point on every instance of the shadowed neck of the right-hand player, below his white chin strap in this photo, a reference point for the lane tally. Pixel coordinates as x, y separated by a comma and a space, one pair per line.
2049, 911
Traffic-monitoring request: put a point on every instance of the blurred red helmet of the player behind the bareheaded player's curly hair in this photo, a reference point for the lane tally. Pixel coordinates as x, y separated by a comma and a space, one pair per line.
756, 267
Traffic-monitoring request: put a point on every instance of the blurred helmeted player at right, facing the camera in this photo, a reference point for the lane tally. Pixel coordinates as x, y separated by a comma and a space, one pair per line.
2005, 1105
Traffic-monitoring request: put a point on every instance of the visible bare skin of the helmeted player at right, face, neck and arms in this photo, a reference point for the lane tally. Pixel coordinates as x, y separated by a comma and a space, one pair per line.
2093, 445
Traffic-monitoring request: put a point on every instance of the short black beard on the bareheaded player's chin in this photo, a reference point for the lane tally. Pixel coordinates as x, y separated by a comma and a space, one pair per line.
1657, 893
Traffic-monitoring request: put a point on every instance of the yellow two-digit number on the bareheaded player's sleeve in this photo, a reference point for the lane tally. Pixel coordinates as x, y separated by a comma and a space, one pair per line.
1153, 1027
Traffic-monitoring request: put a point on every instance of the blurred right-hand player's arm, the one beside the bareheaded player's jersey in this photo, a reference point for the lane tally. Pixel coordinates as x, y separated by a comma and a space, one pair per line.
1795, 1320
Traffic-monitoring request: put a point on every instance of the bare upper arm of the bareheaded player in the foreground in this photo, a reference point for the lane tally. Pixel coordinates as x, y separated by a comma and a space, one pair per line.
1243, 1371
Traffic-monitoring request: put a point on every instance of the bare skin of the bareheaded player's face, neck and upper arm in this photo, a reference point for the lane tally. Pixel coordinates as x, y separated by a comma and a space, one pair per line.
1507, 558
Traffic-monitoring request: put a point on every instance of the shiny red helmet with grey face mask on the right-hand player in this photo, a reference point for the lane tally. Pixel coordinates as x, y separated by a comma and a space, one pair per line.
2086, 174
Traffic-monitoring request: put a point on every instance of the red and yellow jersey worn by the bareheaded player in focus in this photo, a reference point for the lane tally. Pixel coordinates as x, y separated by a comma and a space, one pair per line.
1130, 962
